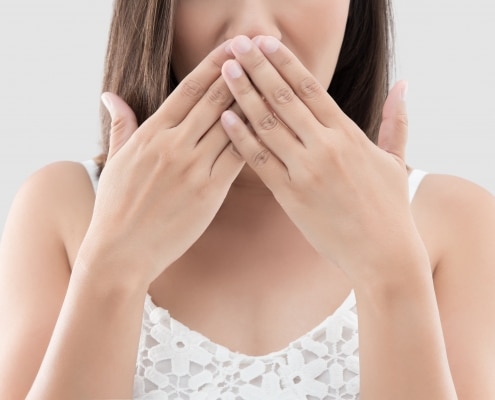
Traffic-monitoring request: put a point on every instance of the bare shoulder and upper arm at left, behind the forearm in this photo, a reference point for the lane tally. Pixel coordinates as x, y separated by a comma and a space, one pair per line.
32, 293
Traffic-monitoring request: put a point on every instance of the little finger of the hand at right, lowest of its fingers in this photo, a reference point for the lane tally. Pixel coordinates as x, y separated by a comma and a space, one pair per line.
268, 167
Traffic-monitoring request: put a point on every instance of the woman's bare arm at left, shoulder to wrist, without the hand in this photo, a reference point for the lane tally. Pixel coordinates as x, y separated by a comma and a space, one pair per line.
34, 276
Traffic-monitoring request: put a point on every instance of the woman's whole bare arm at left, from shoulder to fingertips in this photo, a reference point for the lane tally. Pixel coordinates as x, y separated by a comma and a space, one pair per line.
90, 322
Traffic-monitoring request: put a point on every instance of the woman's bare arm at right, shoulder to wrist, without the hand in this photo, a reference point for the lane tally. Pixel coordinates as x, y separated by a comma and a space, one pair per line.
401, 333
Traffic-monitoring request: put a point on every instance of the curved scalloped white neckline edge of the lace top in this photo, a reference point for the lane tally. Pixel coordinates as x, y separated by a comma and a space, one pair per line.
347, 304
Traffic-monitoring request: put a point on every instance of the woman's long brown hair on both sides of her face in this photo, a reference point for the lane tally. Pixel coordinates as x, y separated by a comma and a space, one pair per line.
137, 66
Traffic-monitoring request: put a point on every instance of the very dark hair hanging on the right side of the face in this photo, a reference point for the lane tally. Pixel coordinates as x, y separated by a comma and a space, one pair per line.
361, 80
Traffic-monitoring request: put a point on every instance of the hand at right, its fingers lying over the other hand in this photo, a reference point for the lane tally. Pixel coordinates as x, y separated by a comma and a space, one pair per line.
348, 196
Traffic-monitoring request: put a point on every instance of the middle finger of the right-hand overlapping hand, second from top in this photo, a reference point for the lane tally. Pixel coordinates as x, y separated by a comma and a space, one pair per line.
276, 91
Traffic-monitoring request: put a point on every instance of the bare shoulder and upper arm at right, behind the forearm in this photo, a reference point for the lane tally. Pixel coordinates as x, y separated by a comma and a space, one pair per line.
458, 218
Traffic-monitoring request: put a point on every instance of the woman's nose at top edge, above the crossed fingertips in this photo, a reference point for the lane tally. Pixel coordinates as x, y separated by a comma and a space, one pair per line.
253, 18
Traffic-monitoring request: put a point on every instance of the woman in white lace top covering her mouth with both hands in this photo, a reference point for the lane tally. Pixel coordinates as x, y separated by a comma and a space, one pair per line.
242, 198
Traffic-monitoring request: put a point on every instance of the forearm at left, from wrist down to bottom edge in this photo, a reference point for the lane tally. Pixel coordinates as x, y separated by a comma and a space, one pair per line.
93, 349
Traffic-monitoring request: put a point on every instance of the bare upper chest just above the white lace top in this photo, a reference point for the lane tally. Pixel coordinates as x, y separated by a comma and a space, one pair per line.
251, 309
